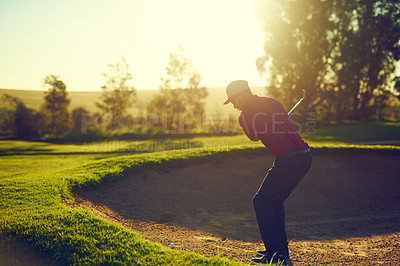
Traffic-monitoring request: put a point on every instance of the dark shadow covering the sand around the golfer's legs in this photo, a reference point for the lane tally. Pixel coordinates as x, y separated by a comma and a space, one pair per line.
343, 195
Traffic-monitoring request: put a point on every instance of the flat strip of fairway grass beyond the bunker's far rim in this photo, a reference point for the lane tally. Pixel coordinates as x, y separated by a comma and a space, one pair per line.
351, 133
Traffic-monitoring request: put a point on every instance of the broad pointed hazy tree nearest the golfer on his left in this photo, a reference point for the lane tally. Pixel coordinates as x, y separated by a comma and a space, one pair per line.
180, 103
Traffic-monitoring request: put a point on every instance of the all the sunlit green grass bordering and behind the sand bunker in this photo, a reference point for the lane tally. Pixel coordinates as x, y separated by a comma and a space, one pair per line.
36, 177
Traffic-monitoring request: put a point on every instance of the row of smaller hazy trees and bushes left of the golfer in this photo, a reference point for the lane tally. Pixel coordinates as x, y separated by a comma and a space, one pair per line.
180, 95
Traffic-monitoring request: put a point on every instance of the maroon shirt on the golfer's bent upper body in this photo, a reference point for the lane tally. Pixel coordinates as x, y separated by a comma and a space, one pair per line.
265, 119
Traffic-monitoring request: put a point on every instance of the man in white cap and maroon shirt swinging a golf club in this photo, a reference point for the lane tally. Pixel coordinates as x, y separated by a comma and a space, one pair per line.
265, 119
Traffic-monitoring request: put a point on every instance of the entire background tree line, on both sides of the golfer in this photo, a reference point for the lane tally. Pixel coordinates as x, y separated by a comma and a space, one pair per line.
343, 53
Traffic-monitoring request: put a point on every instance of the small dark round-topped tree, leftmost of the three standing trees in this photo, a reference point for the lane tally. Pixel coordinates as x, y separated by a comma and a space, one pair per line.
56, 105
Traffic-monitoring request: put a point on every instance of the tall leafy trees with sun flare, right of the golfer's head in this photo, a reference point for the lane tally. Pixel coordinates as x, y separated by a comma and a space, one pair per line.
342, 52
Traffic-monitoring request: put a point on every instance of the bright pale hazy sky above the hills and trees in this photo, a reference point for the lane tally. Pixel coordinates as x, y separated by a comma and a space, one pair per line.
77, 39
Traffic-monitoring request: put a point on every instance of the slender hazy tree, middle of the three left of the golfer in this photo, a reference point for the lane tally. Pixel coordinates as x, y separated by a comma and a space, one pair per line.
117, 95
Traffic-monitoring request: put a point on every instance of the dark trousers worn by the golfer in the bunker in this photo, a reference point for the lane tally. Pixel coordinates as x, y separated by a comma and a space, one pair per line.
284, 175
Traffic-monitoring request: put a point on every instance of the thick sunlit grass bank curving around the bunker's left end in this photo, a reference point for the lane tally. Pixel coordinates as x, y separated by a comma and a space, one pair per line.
32, 210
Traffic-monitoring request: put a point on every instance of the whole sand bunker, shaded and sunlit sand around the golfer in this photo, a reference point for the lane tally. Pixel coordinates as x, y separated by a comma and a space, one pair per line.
346, 210
